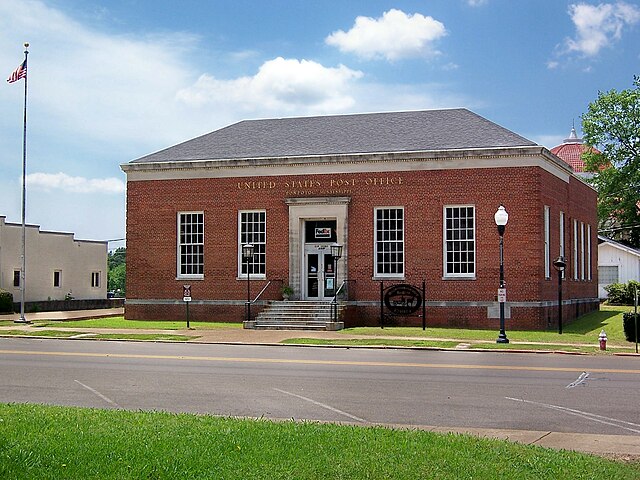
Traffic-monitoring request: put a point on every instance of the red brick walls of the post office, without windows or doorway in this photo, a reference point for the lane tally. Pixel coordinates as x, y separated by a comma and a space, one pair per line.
152, 208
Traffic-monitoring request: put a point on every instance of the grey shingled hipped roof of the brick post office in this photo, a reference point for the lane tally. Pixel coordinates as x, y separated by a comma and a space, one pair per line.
428, 130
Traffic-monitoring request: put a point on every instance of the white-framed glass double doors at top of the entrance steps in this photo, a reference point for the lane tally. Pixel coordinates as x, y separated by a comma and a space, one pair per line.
320, 273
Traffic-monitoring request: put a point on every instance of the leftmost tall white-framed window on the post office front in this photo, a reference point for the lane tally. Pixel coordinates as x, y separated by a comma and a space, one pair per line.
191, 244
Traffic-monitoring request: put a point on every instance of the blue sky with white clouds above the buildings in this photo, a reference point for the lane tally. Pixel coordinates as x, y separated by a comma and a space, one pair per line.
112, 81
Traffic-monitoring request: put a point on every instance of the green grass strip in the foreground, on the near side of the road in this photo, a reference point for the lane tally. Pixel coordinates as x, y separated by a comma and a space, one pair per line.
43, 442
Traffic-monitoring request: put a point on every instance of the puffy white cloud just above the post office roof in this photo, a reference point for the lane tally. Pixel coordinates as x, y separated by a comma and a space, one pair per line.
279, 84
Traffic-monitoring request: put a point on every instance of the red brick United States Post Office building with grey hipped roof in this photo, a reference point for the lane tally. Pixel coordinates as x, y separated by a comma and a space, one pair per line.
411, 197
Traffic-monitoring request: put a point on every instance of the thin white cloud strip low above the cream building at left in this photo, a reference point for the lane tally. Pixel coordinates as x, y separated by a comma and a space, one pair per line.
67, 183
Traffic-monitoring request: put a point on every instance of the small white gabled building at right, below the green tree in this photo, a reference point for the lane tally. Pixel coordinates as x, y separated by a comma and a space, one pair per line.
617, 263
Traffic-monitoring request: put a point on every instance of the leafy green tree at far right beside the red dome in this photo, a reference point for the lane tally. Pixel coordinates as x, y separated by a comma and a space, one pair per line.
612, 125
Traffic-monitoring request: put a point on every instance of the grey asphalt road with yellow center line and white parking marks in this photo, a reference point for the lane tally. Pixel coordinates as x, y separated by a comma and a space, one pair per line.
544, 392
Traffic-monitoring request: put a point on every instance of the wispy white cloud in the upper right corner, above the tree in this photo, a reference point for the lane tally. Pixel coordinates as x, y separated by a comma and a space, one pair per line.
599, 26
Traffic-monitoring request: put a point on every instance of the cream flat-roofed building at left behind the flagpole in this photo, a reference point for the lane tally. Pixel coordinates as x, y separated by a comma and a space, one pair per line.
57, 265
